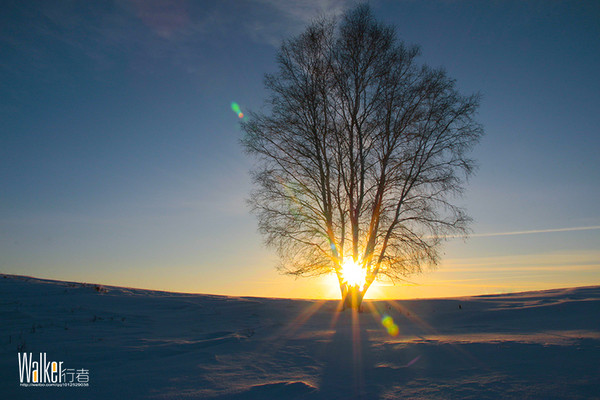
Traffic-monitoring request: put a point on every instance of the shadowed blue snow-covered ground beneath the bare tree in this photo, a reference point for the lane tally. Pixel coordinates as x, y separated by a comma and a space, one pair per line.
147, 344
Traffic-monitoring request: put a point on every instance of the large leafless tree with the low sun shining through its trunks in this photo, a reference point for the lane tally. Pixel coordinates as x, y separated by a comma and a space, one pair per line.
359, 155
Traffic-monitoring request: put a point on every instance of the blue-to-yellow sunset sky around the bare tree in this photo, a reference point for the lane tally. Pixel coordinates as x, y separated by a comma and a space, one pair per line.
120, 159
